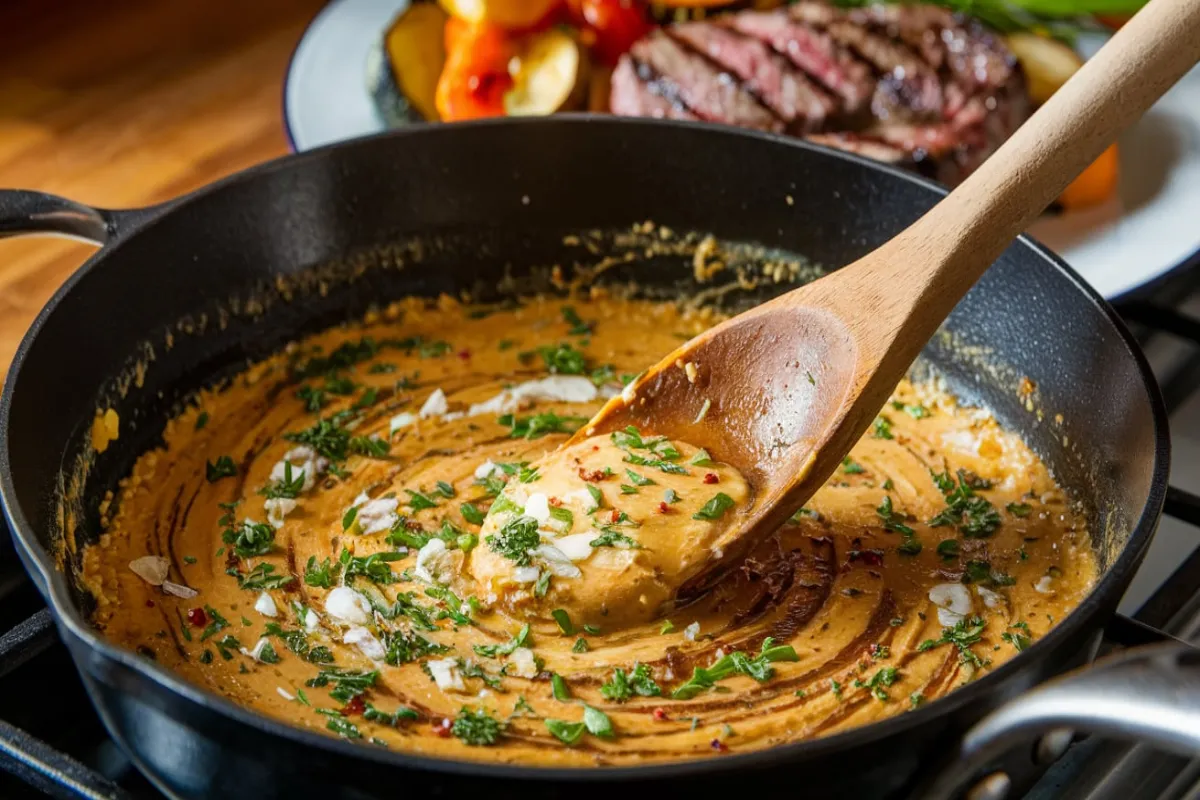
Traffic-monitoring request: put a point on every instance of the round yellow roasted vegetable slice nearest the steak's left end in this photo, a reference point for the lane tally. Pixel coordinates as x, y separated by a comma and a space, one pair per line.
550, 75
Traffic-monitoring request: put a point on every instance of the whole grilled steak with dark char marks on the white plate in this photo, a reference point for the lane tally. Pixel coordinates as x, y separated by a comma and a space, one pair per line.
911, 86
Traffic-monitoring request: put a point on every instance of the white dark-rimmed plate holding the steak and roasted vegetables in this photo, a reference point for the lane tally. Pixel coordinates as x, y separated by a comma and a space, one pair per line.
1153, 227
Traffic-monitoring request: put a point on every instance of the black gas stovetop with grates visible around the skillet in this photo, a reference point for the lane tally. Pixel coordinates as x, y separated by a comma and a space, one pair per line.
53, 744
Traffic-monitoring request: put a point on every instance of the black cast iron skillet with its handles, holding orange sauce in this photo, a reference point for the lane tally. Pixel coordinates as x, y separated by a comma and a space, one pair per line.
488, 199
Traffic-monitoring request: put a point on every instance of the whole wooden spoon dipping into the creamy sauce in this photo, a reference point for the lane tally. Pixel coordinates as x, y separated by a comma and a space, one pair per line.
784, 390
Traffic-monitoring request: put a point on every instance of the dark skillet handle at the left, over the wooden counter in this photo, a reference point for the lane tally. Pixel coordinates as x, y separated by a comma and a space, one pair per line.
38, 213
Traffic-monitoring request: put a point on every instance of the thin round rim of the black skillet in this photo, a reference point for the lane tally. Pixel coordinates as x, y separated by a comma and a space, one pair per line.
70, 621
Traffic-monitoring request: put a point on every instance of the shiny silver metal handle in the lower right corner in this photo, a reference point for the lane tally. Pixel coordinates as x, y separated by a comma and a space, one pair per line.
1149, 695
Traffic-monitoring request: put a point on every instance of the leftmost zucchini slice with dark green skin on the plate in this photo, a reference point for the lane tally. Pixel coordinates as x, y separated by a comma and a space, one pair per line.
404, 71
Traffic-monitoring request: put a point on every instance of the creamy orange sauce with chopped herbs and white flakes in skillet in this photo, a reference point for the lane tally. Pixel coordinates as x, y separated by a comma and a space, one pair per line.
364, 465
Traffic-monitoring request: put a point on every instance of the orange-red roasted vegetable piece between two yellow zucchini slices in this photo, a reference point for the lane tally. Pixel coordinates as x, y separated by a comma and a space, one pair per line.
477, 75
